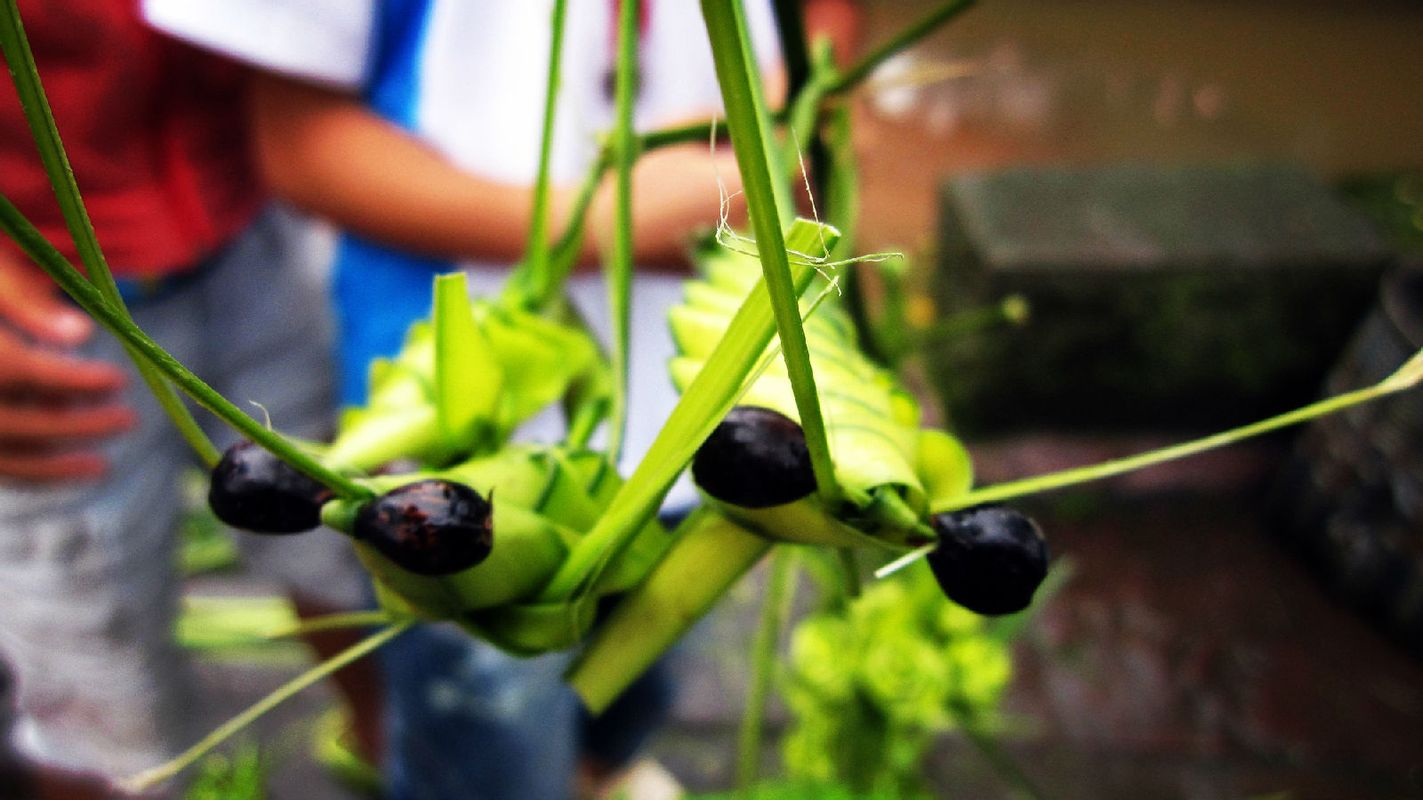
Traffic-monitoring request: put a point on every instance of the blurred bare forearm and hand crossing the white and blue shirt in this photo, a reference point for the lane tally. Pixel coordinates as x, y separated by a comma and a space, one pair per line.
327, 153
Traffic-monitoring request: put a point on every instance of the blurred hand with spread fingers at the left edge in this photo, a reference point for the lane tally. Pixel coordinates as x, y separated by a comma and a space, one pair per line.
53, 405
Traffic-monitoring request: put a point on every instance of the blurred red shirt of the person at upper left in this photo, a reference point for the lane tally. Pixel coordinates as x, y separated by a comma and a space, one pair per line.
156, 133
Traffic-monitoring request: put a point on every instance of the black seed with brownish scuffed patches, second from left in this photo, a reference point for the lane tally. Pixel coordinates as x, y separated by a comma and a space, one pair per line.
429, 527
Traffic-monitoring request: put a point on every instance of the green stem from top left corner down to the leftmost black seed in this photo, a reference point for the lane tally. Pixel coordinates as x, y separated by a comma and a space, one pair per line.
62, 179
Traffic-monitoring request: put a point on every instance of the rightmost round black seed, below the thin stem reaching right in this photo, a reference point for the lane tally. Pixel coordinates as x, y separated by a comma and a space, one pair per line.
990, 560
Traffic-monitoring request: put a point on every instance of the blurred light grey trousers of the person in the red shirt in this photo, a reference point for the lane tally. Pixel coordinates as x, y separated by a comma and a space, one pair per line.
88, 573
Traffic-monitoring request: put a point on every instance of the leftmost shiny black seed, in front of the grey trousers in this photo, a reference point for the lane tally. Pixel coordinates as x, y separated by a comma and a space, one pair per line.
257, 492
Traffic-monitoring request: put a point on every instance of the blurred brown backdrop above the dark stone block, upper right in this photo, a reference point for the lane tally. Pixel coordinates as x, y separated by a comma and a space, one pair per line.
1326, 83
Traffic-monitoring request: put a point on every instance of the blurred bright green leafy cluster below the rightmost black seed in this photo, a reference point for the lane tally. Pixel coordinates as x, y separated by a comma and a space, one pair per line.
873, 684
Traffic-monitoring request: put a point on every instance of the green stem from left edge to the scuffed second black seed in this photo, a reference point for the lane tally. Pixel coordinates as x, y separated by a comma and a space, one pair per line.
120, 325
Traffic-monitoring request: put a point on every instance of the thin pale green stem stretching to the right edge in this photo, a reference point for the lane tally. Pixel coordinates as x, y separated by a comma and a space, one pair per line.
1405, 378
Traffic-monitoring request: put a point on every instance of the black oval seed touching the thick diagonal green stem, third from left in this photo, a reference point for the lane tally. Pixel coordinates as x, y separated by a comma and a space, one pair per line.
755, 459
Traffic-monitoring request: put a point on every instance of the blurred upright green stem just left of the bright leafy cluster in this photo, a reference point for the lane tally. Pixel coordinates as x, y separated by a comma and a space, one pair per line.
763, 661
